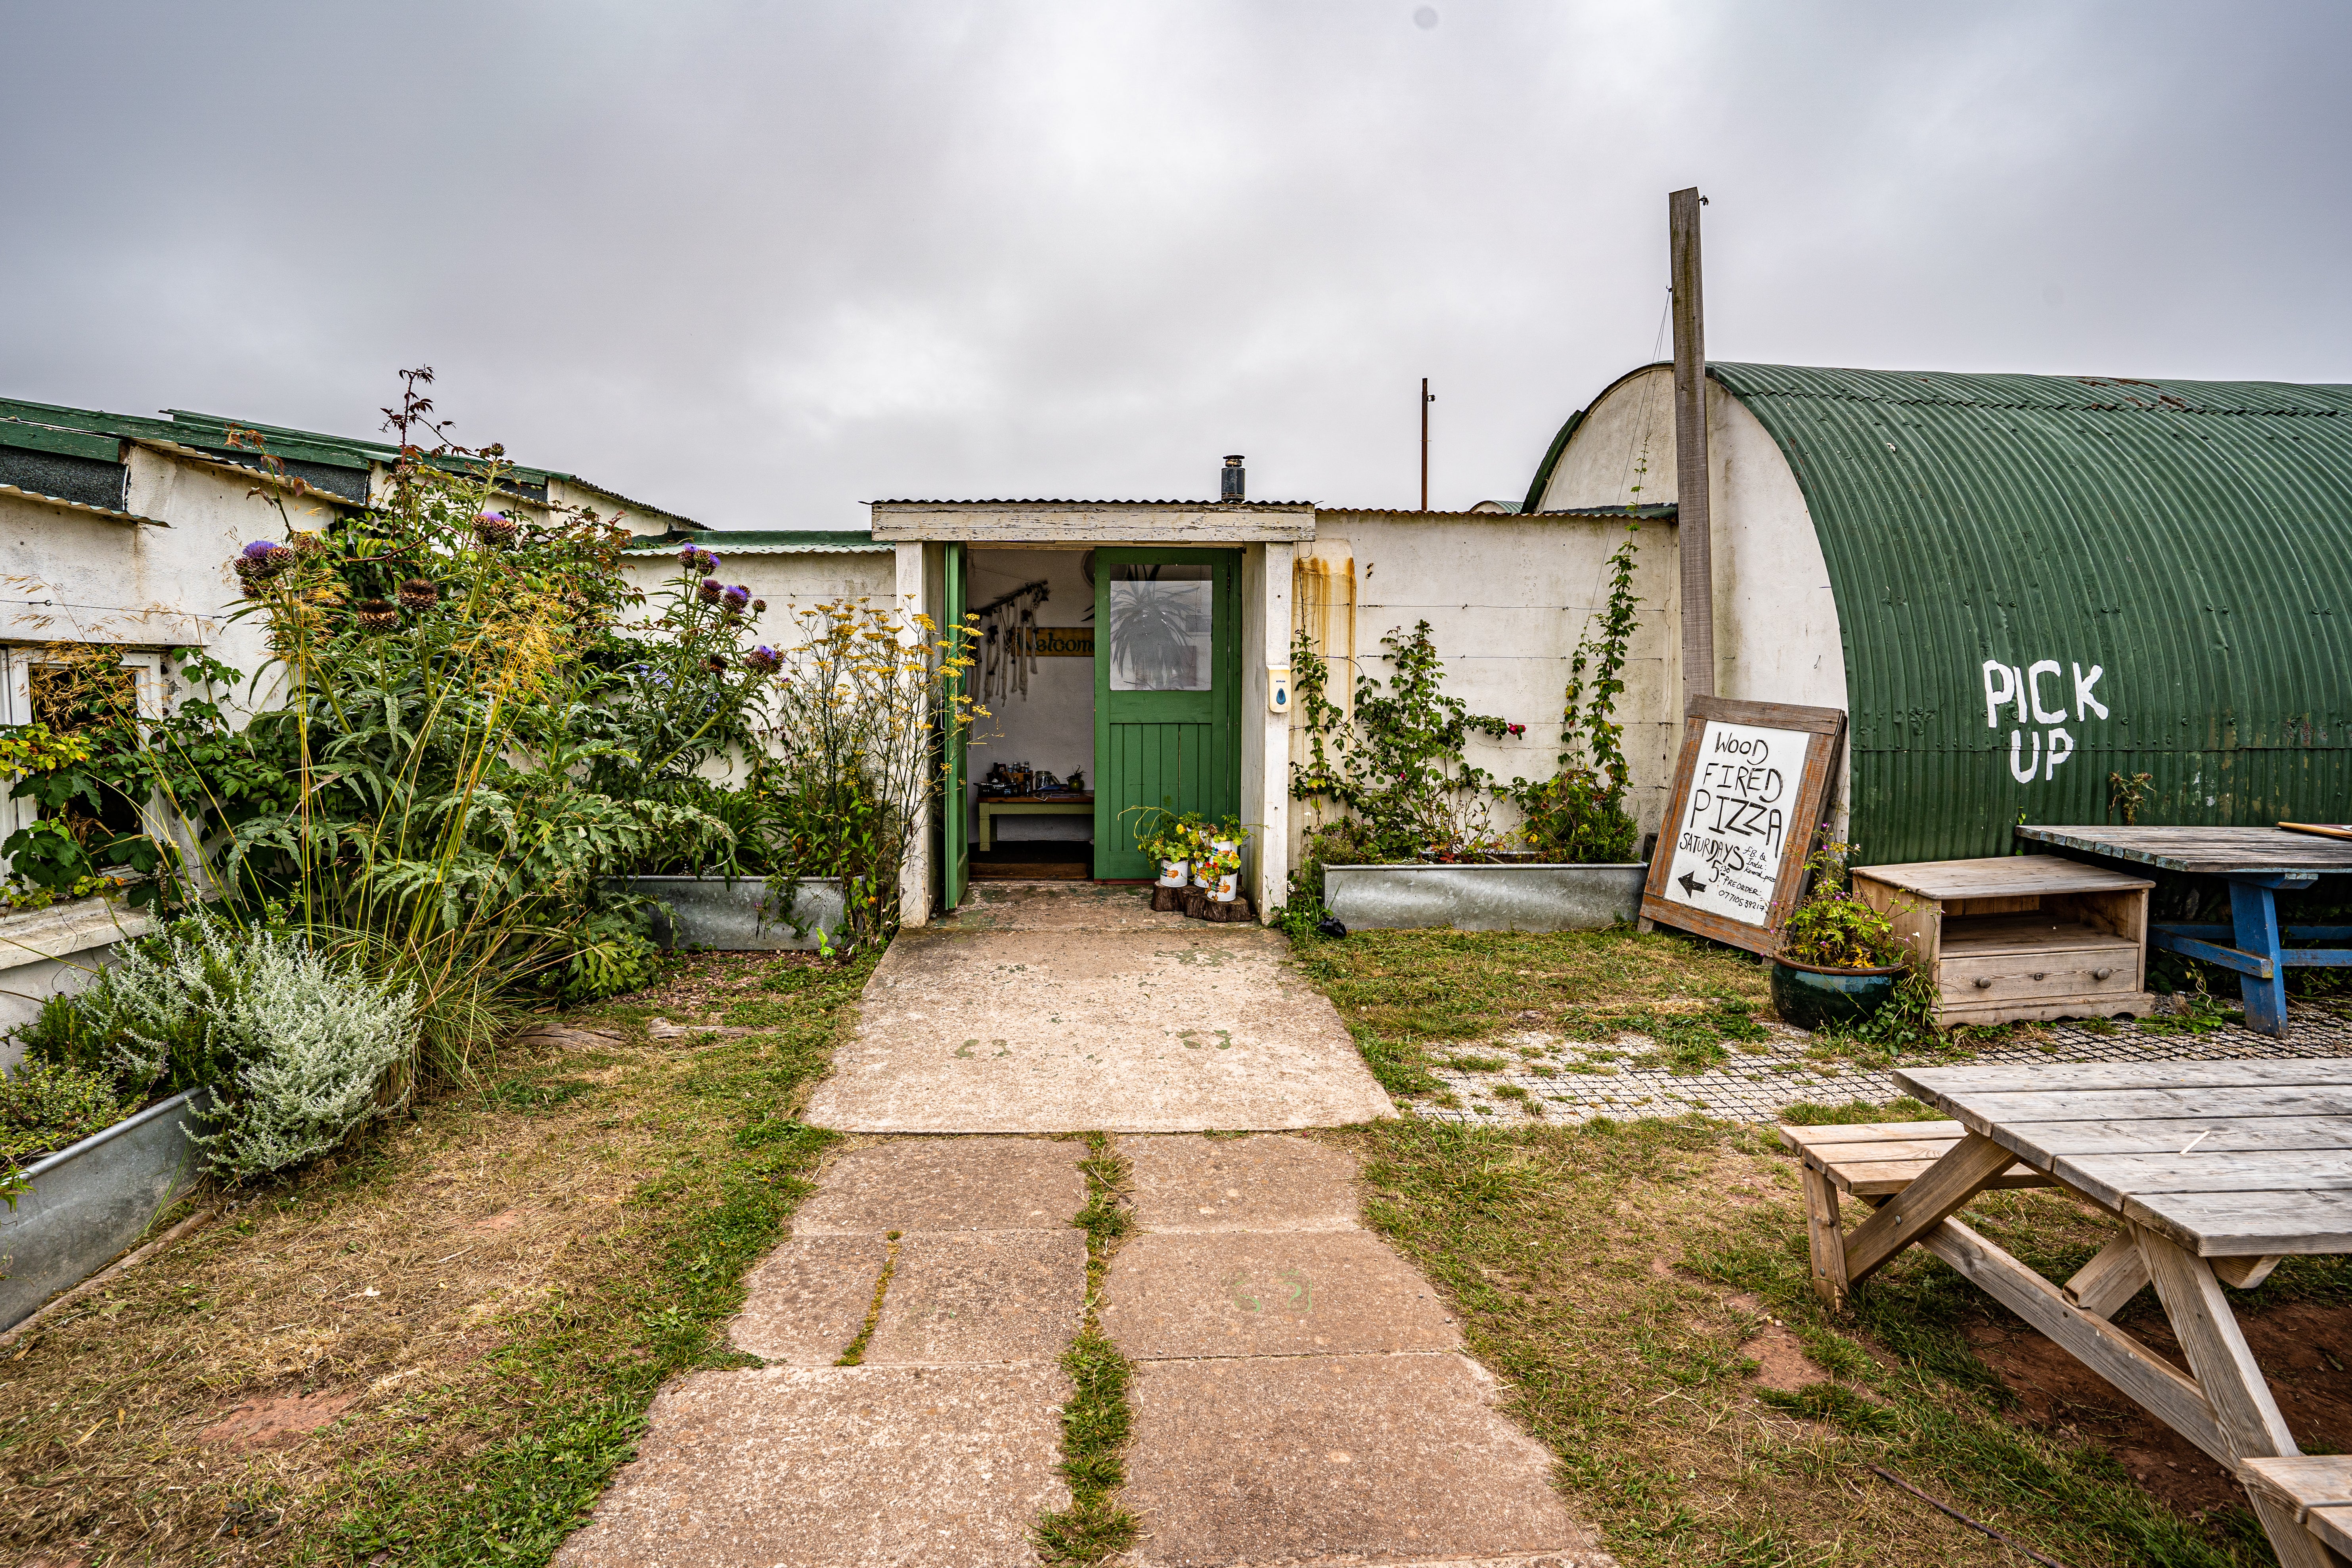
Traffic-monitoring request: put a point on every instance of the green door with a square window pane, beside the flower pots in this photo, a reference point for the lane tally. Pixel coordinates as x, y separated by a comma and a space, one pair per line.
1168, 695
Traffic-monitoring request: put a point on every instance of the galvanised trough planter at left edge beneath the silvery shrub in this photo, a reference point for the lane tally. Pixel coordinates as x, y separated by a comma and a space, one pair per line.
93, 1202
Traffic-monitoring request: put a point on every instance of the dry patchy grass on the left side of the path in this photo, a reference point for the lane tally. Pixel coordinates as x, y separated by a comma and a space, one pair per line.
465, 1318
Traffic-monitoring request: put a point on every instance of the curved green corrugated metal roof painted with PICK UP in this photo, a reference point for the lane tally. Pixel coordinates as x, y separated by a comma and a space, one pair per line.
2189, 540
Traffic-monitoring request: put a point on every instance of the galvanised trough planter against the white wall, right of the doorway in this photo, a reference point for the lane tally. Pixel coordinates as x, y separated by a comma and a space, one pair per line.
1516, 897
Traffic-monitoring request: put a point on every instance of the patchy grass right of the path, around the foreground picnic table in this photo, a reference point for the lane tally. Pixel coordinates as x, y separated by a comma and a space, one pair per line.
1643, 1294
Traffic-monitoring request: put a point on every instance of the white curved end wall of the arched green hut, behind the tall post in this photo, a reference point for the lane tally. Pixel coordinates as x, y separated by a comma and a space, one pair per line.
1777, 636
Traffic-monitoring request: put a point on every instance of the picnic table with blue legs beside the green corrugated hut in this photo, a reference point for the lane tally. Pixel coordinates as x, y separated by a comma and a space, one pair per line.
2257, 864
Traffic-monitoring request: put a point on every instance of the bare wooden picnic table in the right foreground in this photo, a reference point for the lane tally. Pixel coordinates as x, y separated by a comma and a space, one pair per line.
2214, 1174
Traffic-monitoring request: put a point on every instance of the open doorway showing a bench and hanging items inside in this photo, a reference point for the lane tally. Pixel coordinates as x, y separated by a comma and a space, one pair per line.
1031, 760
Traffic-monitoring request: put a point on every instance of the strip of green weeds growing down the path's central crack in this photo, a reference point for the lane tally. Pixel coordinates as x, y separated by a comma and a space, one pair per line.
1097, 1419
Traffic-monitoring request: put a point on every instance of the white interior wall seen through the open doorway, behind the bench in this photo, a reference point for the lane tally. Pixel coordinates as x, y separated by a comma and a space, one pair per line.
1053, 728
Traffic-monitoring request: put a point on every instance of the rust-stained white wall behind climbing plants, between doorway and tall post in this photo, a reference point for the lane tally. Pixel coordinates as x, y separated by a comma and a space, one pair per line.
1509, 598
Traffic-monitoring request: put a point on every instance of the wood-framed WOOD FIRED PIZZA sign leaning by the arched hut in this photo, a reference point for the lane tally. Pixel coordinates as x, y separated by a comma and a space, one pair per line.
1751, 789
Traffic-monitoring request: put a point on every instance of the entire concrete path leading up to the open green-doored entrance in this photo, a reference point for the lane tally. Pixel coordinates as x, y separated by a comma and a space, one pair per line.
1302, 1395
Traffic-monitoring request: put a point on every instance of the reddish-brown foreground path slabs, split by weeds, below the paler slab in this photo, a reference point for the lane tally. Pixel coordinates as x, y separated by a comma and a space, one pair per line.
1302, 1395
